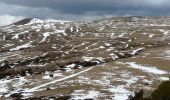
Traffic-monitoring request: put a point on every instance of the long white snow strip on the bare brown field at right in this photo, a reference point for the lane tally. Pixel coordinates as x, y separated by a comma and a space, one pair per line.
148, 69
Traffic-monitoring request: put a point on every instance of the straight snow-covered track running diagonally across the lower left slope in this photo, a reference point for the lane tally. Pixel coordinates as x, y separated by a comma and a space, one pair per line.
52, 82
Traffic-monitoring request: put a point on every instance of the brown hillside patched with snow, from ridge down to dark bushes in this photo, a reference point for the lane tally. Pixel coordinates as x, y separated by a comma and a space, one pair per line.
103, 59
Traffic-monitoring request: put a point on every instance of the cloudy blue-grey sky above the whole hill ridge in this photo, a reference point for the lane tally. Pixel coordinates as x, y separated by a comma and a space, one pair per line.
14, 10
